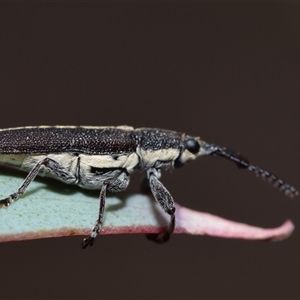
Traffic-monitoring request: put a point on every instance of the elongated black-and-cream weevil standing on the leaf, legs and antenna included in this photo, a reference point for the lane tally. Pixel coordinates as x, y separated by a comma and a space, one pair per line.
103, 158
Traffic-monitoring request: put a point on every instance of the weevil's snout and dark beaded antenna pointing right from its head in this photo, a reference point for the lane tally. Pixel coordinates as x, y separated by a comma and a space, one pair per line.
242, 162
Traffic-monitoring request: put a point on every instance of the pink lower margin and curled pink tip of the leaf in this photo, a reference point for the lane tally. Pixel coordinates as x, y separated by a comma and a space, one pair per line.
187, 222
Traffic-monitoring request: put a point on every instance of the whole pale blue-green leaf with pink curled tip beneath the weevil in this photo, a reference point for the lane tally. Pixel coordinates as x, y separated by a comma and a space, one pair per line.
53, 209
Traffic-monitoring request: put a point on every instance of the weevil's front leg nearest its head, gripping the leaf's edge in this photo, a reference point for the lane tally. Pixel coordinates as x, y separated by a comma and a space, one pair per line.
165, 200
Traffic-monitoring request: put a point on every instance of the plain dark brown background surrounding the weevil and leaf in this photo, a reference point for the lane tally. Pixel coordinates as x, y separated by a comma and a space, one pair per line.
226, 71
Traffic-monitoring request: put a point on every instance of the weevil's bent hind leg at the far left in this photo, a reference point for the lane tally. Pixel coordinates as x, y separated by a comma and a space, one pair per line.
50, 164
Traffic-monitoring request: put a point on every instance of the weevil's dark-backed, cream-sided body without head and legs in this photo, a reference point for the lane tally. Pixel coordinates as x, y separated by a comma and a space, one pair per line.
87, 156
